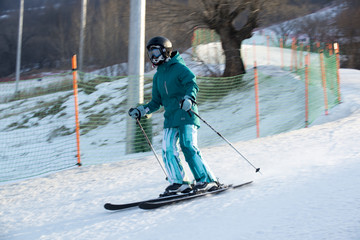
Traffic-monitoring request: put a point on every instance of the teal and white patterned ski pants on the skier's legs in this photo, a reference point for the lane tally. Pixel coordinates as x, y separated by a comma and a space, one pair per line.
185, 137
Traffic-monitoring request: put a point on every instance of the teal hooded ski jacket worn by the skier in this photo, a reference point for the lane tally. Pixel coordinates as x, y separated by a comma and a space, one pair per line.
171, 83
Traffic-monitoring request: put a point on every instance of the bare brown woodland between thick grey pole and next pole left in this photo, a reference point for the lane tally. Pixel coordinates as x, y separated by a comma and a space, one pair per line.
107, 31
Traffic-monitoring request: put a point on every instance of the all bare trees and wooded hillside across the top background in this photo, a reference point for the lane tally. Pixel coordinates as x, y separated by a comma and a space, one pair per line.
51, 28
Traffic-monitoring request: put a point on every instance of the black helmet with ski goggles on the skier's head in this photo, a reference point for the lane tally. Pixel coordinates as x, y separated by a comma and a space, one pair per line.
159, 49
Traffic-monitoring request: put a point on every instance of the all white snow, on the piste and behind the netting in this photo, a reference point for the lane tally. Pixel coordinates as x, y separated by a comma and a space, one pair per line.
308, 189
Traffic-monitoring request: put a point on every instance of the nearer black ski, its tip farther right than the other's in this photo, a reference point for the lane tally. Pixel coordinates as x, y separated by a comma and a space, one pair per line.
162, 202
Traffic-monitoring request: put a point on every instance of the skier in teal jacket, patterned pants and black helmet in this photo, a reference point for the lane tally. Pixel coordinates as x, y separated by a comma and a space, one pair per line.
175, 88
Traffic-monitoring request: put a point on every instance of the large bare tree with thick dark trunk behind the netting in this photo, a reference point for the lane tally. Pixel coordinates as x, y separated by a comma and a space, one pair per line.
223, 16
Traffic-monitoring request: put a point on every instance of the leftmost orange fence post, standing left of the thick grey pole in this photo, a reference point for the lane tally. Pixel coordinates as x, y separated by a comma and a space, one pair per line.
74, 71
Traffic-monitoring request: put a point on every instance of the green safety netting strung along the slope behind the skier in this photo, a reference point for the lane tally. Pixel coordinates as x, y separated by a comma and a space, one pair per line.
37, 124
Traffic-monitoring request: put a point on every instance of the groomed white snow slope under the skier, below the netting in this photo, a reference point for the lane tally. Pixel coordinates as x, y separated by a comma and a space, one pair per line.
309, 189
